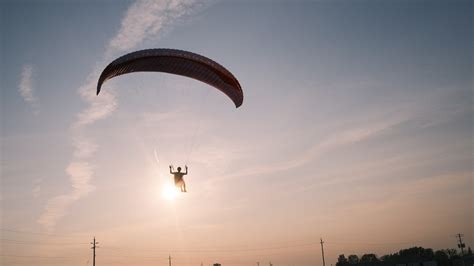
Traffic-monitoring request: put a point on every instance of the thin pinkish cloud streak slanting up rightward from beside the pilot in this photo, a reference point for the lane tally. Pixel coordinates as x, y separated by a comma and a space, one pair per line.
423, 109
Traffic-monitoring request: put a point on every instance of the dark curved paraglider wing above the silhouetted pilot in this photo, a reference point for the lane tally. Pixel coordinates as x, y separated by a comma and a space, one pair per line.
176, 62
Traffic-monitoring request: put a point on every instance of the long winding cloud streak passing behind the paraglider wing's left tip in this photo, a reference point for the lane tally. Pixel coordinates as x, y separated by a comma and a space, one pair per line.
145, 19
